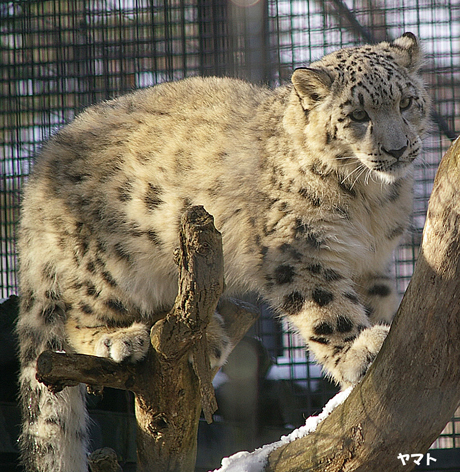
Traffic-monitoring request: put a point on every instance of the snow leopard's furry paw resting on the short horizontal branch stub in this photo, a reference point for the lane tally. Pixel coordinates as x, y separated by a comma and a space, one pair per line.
129, 344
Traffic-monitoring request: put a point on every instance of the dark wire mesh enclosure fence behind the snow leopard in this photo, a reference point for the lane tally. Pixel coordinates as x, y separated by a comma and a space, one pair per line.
57, 57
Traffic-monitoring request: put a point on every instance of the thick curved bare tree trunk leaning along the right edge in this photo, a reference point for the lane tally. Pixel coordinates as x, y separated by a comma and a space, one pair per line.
413, 387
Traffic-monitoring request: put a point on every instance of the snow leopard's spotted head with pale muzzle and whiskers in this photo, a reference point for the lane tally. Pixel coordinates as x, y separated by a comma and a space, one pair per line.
365, 108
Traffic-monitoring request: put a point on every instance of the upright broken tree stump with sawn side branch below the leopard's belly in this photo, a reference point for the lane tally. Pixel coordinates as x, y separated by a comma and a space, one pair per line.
169, 392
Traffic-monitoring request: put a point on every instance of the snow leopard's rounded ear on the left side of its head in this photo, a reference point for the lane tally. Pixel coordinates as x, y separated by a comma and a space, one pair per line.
312, 85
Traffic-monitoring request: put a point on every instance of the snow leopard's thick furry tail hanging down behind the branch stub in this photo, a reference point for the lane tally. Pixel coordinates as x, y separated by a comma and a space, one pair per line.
54, 434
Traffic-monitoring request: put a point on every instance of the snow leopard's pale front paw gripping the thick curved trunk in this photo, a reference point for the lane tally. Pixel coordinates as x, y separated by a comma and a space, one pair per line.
353, 364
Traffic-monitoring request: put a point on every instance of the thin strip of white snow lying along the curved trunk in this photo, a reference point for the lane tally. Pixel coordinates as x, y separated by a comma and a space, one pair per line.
255, 461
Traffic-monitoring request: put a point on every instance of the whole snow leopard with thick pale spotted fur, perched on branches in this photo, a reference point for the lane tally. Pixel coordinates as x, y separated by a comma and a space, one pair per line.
309, 183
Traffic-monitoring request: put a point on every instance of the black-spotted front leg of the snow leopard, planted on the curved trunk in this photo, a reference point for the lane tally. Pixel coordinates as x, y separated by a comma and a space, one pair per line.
328, 312
